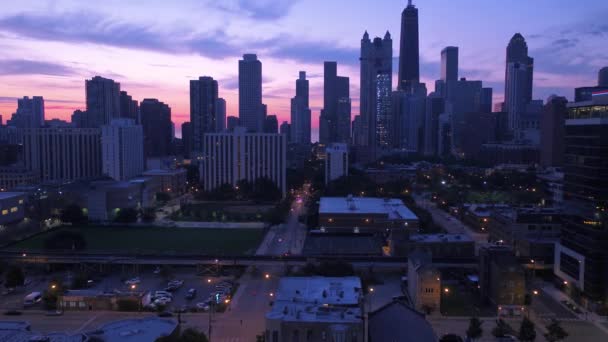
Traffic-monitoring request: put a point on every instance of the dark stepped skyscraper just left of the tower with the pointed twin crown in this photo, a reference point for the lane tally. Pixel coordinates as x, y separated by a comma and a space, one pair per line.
335, 89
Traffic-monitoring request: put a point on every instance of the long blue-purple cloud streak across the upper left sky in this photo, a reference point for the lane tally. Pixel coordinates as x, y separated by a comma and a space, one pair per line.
94, 28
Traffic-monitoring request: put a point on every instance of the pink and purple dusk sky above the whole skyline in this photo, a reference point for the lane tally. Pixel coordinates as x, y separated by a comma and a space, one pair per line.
154, 47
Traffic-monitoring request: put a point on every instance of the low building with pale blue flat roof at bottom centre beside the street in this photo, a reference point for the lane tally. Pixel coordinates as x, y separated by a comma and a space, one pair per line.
316, 309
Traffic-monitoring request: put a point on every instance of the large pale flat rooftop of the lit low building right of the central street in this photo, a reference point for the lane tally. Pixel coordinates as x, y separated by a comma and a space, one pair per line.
392, 207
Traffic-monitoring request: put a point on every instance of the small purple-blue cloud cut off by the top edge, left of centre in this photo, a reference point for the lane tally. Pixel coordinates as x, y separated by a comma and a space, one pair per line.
256, 9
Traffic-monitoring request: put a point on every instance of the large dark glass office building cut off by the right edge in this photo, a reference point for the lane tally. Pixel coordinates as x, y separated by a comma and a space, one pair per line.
581, 257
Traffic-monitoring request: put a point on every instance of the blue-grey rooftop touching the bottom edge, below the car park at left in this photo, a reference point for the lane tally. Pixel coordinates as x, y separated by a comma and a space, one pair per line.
145, 329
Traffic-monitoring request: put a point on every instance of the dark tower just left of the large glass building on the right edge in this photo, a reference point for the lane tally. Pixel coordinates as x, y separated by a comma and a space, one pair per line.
552, 131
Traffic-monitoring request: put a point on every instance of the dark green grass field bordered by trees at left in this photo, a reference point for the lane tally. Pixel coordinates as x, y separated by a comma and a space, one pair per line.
157, 240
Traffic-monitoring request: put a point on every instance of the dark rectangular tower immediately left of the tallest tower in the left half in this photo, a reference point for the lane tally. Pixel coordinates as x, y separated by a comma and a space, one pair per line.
203, 109
